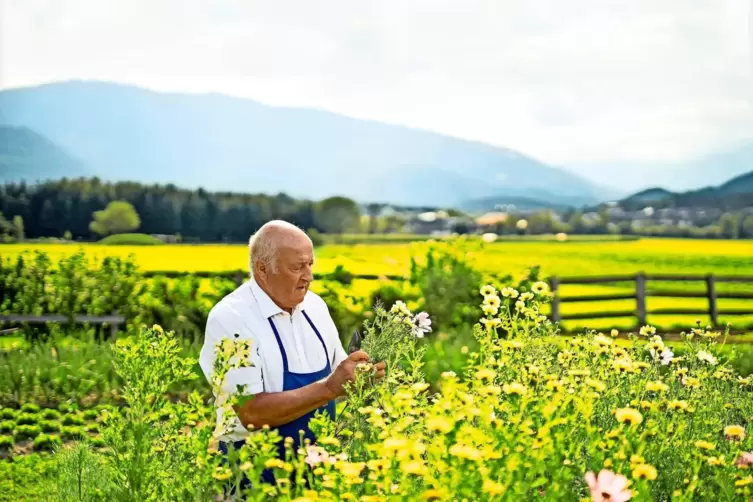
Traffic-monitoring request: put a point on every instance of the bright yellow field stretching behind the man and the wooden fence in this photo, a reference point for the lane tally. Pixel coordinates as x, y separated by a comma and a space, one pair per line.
575, 257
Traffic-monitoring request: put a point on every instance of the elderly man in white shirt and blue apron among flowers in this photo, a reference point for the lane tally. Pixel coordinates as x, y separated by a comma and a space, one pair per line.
298, 365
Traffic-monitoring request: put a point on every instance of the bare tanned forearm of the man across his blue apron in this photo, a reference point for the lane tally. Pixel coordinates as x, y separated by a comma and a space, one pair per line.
278, 408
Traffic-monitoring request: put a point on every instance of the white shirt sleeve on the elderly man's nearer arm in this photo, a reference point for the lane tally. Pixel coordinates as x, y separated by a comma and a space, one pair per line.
246, 380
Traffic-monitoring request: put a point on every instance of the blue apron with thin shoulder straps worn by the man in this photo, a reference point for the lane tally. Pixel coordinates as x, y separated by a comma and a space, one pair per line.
292, 381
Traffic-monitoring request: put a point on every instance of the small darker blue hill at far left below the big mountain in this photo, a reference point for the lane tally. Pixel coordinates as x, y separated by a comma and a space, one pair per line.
25, 154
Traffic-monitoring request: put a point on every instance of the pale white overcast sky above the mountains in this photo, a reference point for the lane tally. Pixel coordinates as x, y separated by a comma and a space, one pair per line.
596, 86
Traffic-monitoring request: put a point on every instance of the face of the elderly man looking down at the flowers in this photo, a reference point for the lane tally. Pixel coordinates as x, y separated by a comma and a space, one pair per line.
289, 285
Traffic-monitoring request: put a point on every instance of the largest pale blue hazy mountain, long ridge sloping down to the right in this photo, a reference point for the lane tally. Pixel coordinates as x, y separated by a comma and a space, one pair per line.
225, 143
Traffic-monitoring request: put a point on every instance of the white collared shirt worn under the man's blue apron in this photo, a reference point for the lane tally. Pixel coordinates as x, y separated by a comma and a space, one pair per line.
245, 311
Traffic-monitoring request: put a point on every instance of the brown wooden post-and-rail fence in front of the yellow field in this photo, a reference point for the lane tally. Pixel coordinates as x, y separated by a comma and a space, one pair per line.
641, 293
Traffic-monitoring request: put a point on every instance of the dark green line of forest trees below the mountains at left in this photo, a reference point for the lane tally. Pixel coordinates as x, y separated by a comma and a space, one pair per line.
67, 207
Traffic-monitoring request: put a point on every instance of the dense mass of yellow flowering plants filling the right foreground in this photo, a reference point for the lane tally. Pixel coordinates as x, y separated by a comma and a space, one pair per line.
533, 417
